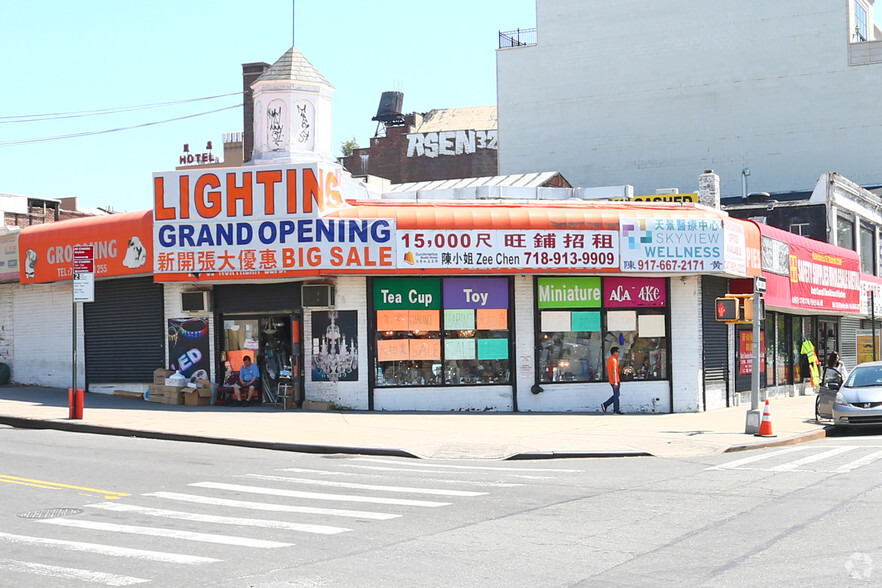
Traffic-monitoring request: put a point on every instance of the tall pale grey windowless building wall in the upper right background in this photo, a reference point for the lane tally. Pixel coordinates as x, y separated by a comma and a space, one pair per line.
651, 93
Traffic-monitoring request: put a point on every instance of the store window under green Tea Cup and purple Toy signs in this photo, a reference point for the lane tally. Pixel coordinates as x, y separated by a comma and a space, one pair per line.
436, 332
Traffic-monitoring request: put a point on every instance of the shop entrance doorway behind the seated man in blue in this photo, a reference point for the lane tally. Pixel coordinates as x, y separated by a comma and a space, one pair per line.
273, 343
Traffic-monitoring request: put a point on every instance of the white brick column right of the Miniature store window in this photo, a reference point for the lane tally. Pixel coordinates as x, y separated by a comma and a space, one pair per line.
686, 343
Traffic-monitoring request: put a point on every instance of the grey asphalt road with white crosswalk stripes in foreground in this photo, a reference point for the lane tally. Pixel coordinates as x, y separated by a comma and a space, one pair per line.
82, 510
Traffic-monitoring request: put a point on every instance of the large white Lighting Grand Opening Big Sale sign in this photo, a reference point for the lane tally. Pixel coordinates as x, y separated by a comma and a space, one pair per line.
261, 221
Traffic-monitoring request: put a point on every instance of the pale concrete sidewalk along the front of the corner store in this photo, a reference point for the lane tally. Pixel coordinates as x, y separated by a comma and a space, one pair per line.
424, 435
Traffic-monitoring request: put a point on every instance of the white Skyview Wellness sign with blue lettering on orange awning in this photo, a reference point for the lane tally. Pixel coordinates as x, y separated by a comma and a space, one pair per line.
672, 245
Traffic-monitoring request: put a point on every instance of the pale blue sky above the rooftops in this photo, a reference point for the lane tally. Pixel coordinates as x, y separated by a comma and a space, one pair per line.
63, 57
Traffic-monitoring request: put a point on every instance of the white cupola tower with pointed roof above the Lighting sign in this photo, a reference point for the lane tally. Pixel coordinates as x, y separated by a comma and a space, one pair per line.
292, 112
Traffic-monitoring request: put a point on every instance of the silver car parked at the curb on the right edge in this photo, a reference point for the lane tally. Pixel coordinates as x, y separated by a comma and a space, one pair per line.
855, 399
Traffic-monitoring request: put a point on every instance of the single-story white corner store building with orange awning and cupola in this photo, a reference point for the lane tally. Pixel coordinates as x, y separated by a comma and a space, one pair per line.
373, 303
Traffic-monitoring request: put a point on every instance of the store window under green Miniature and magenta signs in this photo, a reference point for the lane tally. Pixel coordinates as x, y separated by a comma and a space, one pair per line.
581, 318
